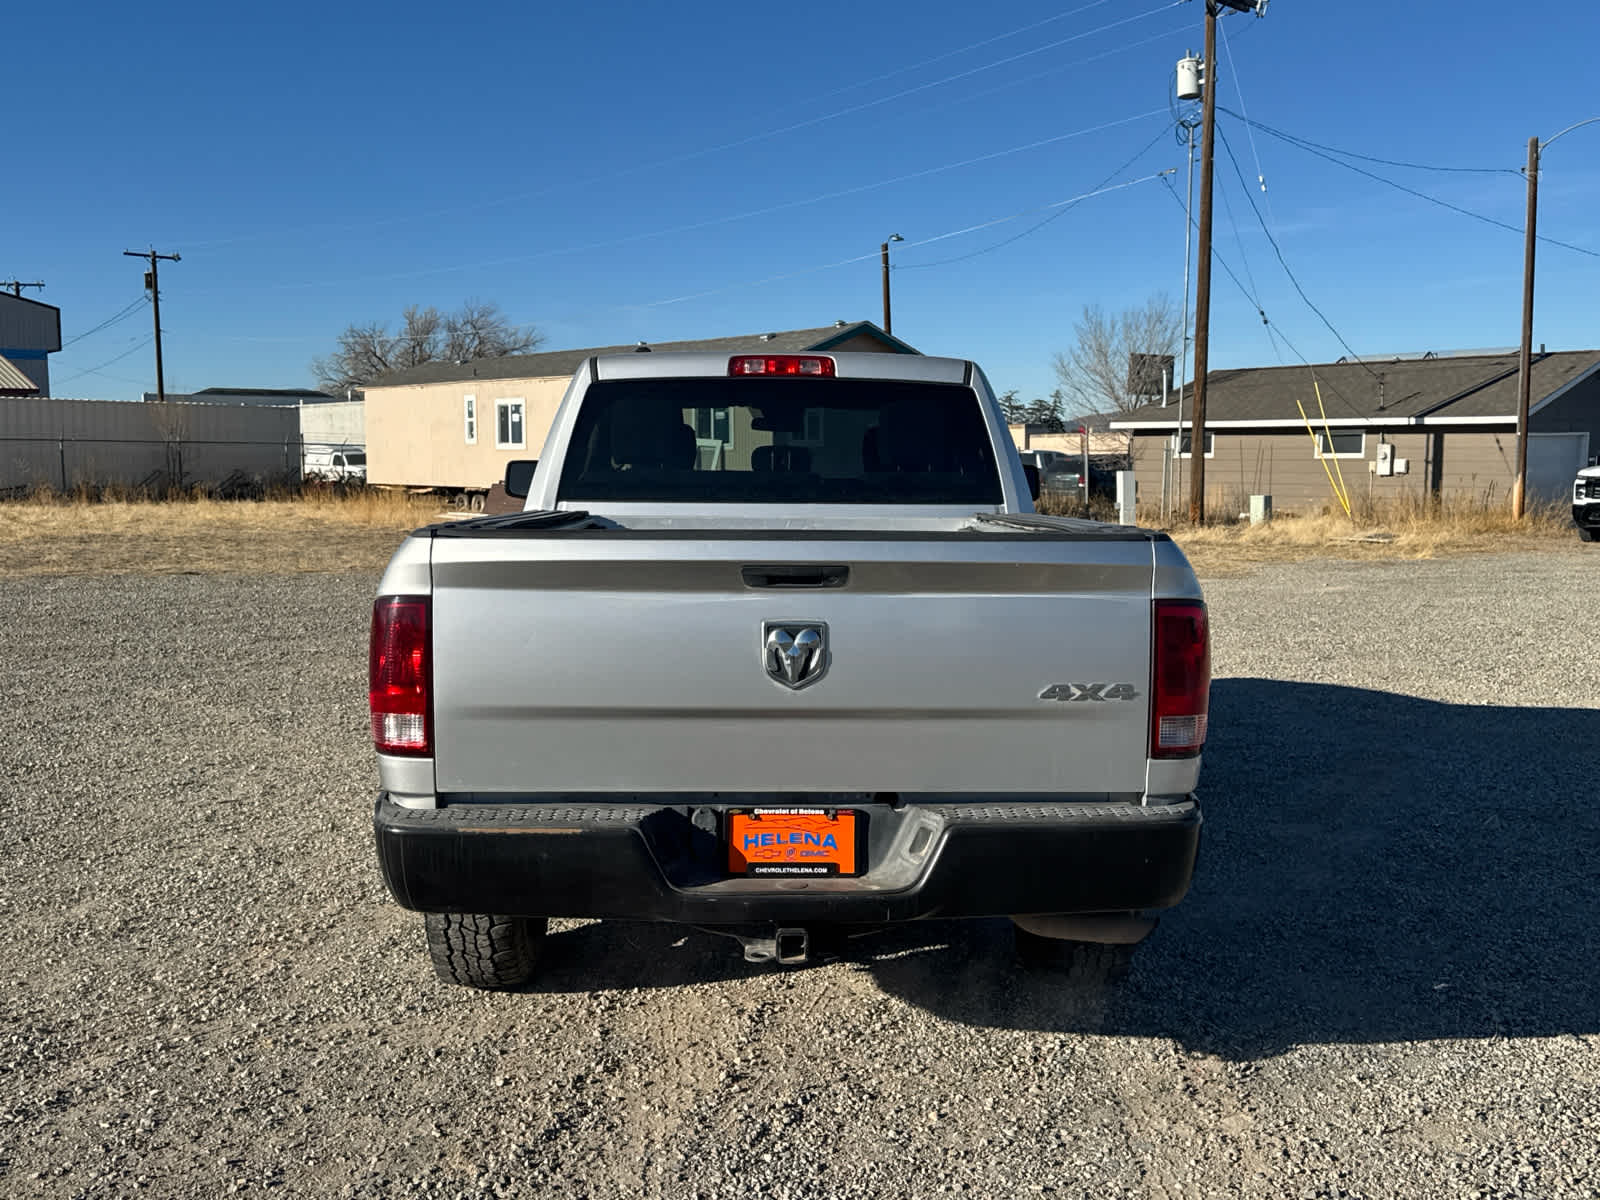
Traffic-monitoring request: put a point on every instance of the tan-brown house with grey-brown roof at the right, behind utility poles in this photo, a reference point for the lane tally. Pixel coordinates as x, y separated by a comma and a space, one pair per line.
1388, 430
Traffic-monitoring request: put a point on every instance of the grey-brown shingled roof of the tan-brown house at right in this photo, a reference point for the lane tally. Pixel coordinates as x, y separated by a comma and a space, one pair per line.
1465, 386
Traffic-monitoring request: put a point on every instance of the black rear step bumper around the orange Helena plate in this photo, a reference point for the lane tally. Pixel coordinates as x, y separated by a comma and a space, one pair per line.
662, 863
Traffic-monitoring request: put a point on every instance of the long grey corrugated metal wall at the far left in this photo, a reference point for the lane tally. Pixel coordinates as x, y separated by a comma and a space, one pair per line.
63, 444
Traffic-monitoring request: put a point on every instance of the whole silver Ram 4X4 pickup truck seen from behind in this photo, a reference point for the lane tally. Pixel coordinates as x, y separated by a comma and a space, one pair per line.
778, 649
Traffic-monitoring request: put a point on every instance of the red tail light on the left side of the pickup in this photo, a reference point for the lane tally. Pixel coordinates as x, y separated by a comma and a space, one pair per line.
401, 676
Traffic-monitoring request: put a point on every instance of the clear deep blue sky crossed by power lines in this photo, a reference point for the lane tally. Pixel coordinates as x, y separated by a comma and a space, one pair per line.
626, 172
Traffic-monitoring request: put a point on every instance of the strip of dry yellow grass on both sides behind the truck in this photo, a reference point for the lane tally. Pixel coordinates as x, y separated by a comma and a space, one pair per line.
316, 534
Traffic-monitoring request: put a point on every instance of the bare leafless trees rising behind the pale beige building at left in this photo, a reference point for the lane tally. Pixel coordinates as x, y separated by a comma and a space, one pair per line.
478, 330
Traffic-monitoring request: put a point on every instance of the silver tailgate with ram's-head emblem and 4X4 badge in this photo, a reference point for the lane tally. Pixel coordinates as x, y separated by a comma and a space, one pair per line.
623, 663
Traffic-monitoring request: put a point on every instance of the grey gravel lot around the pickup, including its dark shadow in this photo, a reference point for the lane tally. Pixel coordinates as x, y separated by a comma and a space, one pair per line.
1385, 983
